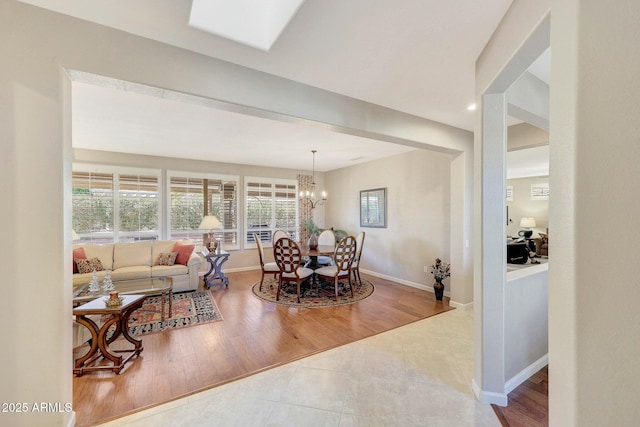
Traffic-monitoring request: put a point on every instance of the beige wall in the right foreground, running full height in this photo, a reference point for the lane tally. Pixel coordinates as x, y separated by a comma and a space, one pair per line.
594, 375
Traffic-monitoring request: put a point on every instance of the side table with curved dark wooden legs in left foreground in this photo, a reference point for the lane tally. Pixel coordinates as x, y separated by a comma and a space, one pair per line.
99, 341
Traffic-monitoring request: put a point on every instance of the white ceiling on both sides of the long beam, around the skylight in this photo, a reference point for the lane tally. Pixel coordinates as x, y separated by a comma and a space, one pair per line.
414, 56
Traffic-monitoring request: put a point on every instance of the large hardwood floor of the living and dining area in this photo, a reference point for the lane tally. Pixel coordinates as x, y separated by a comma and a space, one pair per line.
254, 336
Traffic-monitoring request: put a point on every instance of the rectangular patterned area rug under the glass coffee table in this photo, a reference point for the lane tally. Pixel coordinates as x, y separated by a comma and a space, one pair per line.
188, 309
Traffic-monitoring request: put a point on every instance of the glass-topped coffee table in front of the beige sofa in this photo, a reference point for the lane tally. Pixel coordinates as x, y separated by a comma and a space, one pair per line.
162, 286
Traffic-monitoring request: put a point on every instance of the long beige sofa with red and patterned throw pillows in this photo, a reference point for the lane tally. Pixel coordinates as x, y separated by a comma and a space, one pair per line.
128, 261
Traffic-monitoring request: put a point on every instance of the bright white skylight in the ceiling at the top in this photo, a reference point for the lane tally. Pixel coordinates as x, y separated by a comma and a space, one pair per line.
256, 23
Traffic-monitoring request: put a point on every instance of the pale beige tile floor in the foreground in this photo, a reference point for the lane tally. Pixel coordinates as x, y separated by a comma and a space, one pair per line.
416, 375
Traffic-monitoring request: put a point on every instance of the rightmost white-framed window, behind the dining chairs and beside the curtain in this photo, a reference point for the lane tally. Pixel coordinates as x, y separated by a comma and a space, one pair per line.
270, 205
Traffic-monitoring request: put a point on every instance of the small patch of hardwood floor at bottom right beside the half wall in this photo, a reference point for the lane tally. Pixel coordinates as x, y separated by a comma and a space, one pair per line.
528, 403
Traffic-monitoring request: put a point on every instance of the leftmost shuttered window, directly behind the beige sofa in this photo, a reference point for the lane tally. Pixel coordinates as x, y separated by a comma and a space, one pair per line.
115, 204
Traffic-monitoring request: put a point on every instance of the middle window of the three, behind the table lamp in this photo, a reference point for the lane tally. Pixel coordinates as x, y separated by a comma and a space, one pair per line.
192, 196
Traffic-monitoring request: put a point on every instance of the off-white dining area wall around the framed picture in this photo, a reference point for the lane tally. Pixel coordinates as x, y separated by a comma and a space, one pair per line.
418, 213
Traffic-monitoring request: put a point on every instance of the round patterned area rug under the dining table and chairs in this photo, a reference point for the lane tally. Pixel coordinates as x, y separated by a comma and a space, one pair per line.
310, 296
